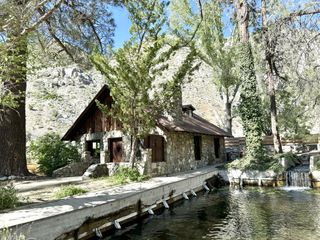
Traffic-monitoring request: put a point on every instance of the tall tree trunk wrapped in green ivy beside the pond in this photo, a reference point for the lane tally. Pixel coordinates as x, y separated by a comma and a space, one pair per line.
250, 105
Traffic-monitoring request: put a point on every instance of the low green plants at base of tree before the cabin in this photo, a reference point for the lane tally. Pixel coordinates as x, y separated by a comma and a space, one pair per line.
126, 174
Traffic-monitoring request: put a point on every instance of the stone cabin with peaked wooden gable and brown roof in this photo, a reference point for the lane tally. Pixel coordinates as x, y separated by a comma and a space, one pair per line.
181, 144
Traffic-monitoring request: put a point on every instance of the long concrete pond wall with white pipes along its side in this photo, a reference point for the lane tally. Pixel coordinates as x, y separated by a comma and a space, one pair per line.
91, 214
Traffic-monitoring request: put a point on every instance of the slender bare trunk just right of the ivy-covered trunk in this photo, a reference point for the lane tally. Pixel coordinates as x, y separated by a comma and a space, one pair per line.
271, 80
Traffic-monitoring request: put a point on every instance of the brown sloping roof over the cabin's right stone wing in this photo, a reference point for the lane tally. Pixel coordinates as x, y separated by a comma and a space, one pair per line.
192, 124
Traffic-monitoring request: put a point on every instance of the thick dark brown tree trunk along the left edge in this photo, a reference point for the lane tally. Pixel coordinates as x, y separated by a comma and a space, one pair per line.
13, 121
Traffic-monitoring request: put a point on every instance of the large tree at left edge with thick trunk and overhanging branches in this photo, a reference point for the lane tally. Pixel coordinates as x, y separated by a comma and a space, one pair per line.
73, 25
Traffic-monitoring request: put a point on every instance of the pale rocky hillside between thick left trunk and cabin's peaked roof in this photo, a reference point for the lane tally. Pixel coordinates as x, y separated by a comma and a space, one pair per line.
57, 96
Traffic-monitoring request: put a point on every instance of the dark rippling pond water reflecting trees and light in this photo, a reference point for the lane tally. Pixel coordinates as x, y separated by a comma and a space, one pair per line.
252, 213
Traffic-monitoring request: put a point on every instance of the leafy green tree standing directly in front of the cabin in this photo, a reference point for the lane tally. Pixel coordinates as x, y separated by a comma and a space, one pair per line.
134, 72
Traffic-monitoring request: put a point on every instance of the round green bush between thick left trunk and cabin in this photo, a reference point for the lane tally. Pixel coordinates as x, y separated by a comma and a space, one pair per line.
51, 153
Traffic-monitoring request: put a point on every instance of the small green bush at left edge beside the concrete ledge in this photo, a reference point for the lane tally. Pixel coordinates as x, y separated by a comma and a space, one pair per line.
8, 197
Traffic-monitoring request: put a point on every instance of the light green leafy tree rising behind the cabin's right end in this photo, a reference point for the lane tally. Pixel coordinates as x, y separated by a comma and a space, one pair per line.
214, 49
